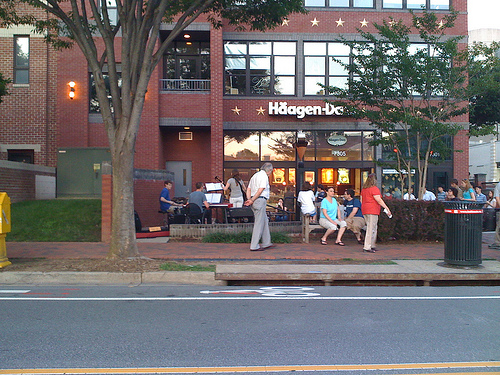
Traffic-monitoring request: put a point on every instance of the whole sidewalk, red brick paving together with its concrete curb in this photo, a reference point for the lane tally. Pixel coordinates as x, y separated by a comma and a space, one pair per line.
413, 264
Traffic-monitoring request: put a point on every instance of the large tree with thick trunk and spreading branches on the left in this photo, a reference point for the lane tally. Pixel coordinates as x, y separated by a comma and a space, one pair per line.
136, 31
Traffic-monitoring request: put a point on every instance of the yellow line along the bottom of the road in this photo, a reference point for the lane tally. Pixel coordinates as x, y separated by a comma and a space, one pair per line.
246, 369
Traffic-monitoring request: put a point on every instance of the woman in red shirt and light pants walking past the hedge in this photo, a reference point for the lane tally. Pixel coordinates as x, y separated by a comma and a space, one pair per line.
371, 201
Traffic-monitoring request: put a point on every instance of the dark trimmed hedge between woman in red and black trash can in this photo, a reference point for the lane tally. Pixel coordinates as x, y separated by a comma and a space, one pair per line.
412, 221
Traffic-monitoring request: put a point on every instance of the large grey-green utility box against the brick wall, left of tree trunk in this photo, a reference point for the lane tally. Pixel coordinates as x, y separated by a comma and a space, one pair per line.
79, 171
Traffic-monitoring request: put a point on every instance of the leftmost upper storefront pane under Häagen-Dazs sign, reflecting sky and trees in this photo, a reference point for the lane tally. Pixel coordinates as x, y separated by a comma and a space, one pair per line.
241, 145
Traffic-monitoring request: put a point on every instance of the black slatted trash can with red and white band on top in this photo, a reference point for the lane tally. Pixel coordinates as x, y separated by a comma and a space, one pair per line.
463, 233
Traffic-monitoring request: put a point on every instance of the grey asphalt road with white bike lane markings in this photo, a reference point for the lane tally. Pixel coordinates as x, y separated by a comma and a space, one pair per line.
161, 327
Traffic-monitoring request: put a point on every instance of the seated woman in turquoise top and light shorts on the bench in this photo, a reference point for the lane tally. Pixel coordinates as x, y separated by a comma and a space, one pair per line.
330, 218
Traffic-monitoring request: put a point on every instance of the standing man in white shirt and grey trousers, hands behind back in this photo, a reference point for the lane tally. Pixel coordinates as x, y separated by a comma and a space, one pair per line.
258, 193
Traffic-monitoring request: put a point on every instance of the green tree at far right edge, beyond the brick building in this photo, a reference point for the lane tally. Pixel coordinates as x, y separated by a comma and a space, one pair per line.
484, 88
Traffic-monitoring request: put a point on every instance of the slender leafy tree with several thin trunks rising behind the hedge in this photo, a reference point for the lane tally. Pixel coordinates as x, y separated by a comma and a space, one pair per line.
409, 92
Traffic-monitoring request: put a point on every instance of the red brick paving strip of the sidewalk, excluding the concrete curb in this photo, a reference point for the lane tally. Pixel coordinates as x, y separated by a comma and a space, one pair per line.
217, 251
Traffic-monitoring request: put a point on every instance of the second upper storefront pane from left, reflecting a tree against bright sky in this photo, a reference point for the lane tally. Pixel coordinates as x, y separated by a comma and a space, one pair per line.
277, 146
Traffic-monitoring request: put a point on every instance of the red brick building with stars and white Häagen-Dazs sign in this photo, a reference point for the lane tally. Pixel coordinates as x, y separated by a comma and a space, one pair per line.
215, 103
